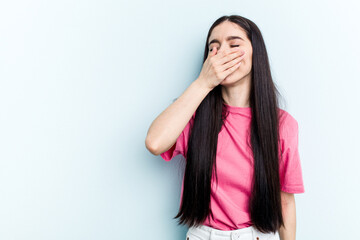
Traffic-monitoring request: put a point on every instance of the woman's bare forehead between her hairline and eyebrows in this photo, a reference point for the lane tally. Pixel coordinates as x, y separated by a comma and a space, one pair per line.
226, 29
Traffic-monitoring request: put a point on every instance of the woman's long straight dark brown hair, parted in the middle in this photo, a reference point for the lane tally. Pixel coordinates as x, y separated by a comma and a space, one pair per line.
265, 201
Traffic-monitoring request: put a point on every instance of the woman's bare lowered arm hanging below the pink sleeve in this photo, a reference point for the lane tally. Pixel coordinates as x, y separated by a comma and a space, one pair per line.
289, 215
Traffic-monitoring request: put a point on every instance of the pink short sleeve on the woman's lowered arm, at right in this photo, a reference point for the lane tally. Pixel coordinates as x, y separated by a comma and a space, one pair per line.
290, 170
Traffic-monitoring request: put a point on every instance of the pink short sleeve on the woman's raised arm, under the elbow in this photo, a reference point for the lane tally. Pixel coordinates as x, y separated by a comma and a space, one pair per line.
180, 146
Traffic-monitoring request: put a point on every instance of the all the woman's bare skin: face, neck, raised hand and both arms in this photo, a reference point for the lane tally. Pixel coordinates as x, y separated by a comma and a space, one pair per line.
228, 66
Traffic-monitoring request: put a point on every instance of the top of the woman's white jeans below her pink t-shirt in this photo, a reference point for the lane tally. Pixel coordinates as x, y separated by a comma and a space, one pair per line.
203, 232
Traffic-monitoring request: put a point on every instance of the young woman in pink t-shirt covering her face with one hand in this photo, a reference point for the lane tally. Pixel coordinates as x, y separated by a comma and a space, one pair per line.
241, 149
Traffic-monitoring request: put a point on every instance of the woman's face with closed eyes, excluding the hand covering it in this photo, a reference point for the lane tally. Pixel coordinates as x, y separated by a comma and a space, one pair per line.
221, 38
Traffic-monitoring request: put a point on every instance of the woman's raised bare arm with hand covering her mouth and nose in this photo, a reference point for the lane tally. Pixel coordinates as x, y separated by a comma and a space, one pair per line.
167, 127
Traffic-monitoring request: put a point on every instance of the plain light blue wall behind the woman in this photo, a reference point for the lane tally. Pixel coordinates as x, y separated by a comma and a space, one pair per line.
81, 82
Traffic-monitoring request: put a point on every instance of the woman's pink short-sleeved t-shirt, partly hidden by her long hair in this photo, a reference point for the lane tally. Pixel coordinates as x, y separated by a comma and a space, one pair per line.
230, 197
